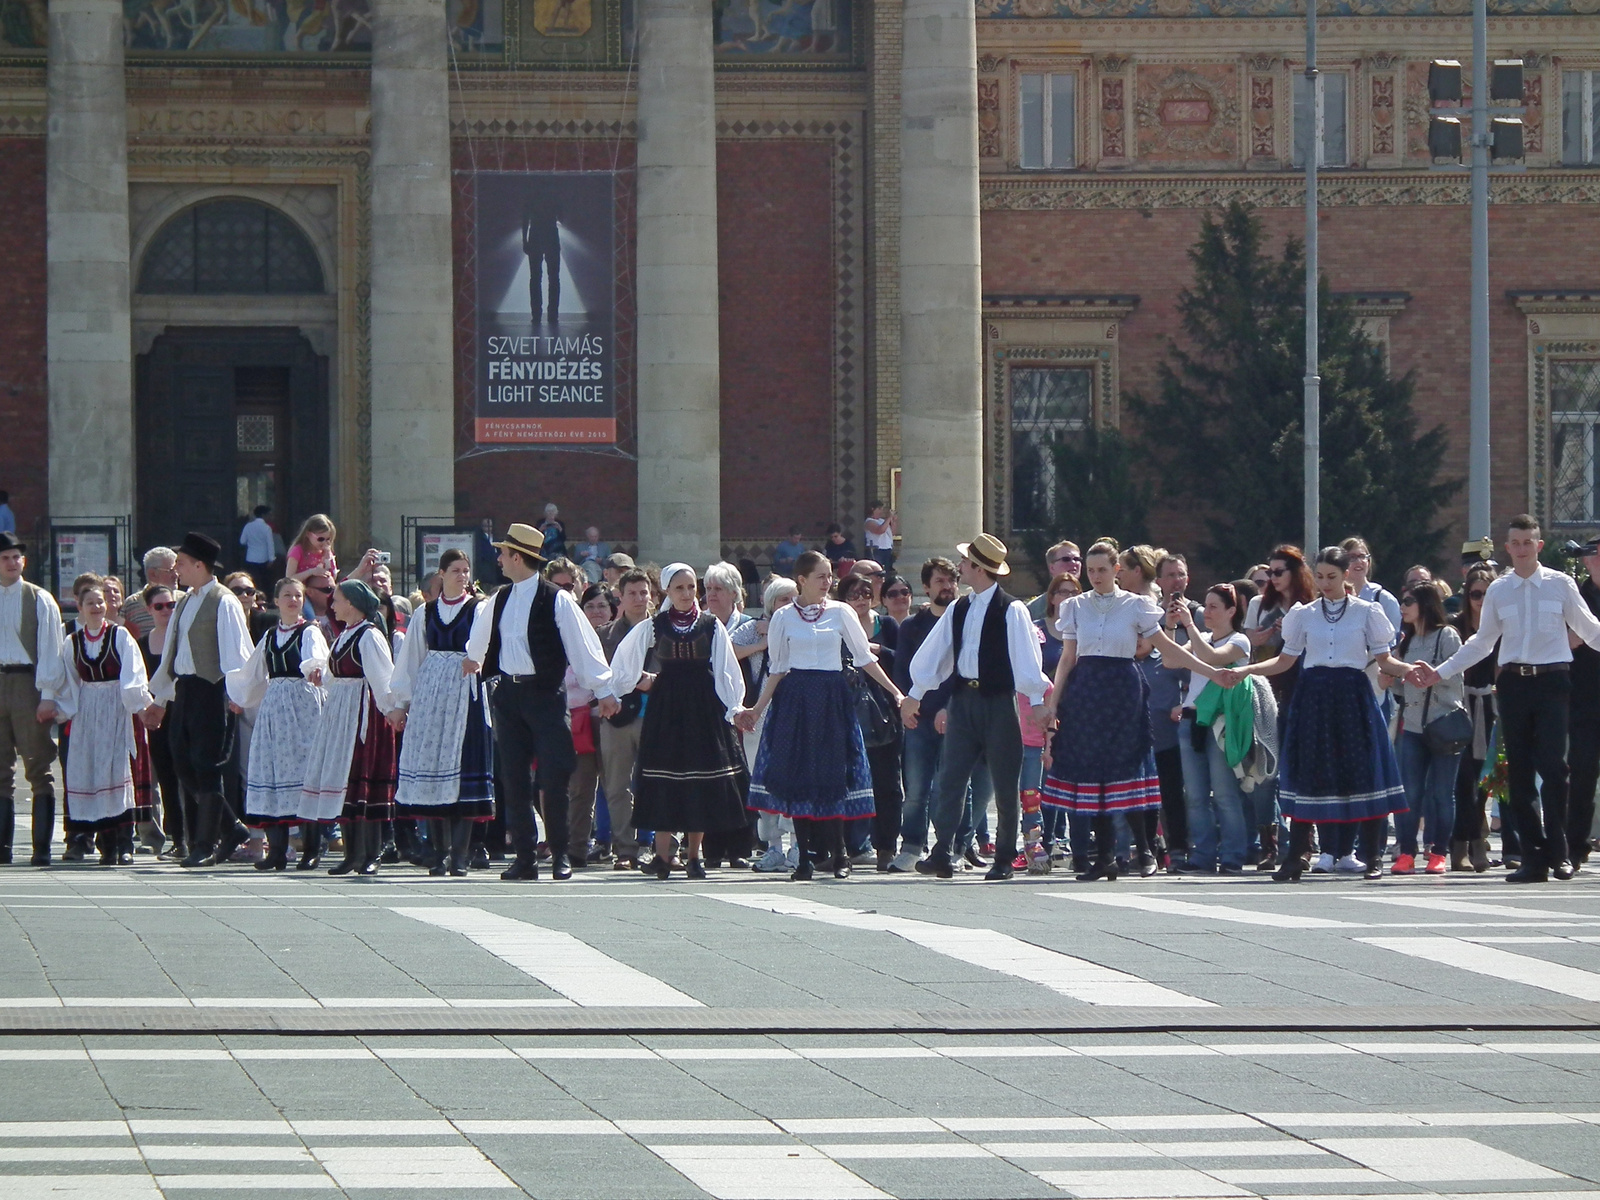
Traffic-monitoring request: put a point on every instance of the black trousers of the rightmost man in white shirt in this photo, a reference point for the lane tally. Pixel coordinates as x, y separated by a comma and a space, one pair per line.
1534, 714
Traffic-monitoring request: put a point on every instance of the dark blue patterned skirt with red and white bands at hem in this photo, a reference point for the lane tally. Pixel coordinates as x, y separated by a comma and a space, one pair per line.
1103, 758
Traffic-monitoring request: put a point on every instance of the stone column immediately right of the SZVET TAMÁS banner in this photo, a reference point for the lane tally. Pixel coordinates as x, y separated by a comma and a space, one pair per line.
676, 287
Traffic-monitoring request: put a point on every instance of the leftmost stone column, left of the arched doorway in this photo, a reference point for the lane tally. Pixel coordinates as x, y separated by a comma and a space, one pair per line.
89, 342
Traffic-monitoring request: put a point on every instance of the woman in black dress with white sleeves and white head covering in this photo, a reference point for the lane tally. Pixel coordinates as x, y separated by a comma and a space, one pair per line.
690, 774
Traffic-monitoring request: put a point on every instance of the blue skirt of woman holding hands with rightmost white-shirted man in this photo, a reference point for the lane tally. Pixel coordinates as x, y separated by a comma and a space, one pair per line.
1337, 762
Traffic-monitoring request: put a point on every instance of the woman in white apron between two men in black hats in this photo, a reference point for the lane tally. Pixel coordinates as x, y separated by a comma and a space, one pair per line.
108, 774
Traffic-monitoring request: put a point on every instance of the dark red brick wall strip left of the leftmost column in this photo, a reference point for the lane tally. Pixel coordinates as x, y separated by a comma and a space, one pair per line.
25, 402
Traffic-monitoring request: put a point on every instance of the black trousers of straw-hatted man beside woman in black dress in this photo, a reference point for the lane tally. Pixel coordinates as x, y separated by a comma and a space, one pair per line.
532, 726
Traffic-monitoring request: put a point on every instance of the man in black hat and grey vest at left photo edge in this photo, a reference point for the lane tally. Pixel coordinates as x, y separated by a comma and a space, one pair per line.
31, 679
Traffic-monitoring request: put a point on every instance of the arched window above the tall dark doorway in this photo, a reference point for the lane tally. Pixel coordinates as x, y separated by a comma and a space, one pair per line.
231, 247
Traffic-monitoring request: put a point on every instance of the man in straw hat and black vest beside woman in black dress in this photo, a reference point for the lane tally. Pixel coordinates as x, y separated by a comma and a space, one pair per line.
522, 642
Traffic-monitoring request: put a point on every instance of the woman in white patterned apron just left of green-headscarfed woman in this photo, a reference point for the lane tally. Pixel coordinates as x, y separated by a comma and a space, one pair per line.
282, 681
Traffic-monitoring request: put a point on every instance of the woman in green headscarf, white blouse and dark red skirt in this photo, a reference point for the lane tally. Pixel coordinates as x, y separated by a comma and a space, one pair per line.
351, 767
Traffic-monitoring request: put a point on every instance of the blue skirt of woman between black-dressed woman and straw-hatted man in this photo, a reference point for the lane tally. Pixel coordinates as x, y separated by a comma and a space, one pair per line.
812, 762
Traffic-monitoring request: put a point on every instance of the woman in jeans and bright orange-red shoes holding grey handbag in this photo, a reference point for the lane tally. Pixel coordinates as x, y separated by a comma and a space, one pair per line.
1430, 775
